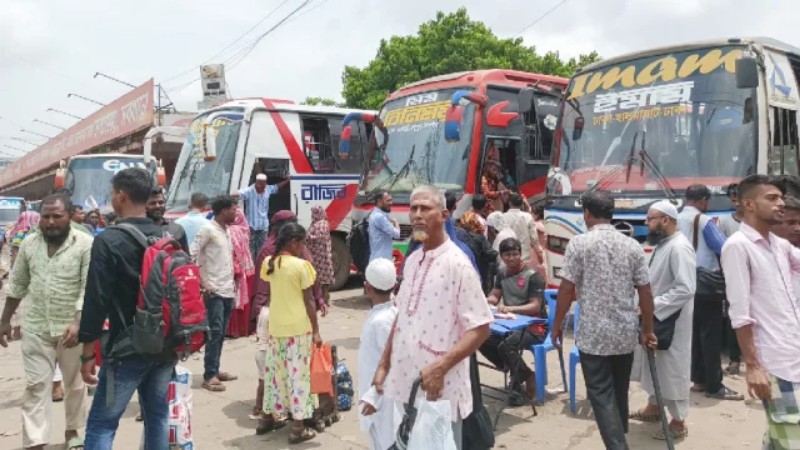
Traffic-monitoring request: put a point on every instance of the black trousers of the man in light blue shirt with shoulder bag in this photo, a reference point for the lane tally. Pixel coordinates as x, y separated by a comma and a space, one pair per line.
707, 344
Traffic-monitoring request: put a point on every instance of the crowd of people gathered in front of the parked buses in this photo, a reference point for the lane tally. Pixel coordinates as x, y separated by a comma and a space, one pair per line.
263, 273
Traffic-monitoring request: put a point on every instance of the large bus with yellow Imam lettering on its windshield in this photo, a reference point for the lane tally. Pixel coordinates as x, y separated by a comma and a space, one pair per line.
647, 125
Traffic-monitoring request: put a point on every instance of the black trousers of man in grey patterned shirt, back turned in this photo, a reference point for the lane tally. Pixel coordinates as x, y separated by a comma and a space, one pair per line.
607, 380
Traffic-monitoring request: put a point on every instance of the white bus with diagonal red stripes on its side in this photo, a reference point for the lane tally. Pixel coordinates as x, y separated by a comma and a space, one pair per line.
228, 145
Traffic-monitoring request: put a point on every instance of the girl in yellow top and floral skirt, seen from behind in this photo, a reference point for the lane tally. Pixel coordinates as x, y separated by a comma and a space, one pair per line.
293, 329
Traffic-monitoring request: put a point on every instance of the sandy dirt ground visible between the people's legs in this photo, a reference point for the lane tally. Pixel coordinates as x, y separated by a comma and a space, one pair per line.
220, 420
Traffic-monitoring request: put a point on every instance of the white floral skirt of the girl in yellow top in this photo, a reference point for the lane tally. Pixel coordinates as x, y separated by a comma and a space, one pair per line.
287, 379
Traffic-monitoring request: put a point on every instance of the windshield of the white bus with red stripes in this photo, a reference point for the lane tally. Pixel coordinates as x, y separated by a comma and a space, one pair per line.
193, 174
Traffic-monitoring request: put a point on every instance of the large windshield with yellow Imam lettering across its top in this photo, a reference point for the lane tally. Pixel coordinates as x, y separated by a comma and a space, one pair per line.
659, 122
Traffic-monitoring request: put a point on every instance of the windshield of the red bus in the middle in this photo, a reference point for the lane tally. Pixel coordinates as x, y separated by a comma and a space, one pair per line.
411, 148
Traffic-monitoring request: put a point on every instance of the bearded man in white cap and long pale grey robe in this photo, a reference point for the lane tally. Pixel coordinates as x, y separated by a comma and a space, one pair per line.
672, 278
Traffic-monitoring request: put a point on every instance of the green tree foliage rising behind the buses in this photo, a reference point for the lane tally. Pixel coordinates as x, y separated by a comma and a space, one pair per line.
449, 43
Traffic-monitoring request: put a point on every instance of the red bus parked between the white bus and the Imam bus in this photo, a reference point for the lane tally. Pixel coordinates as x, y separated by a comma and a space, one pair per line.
439, 131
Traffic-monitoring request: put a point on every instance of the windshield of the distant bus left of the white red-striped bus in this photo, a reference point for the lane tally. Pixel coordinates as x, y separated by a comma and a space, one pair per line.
89, 179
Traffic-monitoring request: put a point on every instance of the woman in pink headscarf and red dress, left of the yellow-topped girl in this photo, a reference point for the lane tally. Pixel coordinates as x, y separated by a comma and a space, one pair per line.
244, 271
